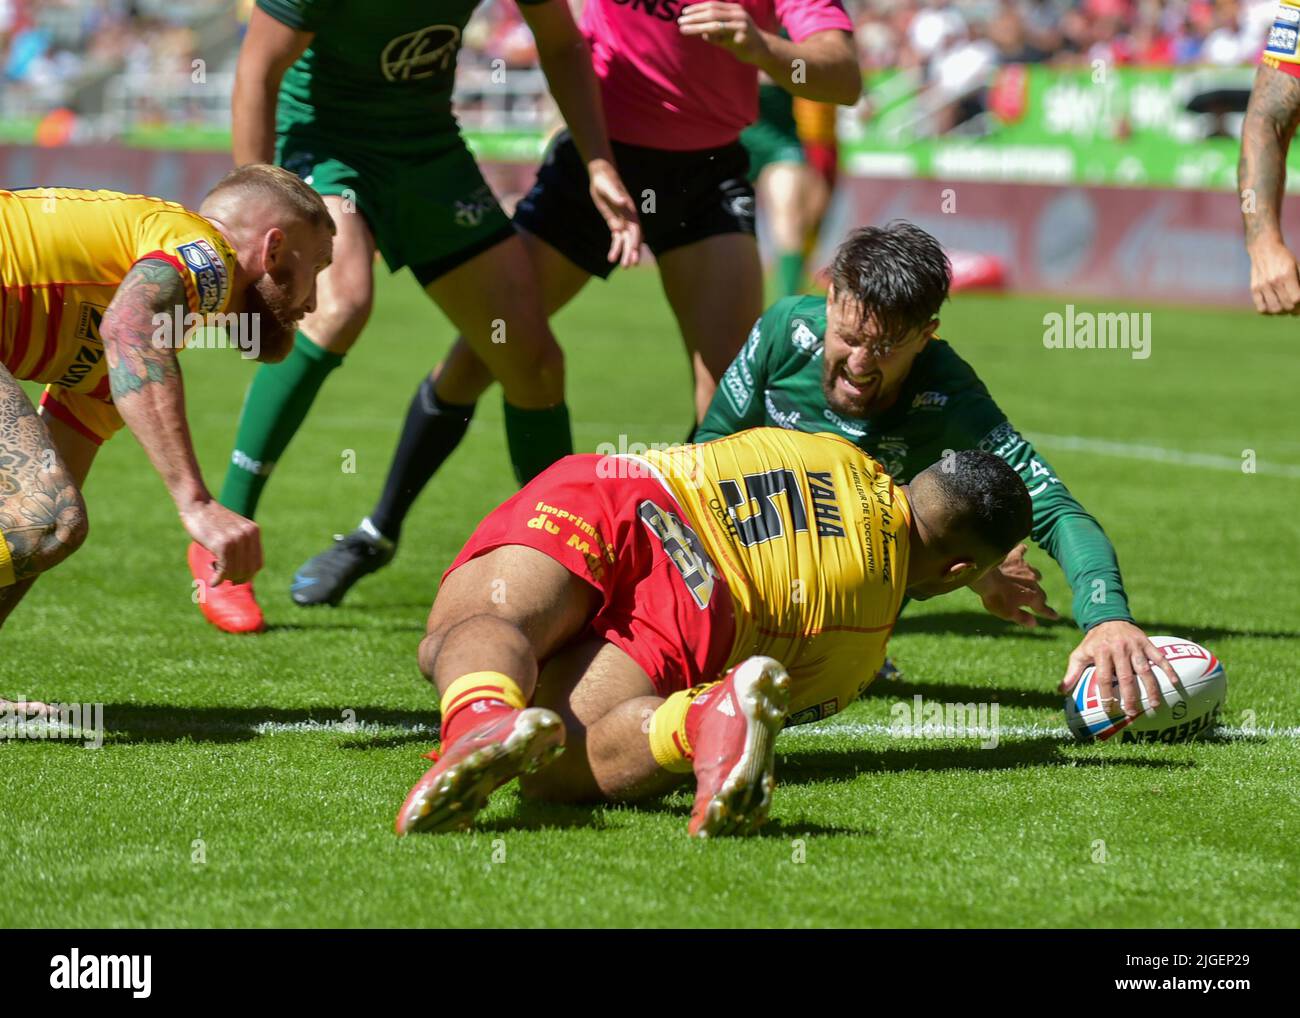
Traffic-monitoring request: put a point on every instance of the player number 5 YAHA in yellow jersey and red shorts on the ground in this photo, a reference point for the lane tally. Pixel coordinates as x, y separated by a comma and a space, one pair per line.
597, 608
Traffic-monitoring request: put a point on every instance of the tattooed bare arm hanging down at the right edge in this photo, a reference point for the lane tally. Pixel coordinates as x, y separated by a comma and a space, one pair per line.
1271, 122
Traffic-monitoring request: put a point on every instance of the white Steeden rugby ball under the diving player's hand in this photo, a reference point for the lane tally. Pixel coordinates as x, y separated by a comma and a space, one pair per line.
1189, 708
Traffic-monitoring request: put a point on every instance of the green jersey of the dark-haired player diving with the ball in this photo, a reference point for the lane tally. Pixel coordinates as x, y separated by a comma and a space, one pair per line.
777, 382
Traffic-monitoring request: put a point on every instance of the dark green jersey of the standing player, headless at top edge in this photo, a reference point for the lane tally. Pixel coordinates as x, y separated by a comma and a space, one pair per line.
379, 73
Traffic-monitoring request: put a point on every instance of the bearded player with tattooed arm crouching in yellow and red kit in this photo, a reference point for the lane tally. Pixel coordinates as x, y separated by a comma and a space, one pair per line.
92, 287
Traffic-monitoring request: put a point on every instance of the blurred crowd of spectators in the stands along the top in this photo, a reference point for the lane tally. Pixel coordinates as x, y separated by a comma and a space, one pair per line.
954, 45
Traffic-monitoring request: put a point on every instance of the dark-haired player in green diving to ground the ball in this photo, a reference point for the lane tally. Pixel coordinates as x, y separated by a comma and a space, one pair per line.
877, 375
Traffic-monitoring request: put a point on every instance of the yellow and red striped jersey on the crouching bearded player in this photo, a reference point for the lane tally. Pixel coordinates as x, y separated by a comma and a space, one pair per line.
64, 253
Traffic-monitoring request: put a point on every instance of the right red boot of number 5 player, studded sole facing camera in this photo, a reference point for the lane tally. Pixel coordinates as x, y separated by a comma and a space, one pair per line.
733, 730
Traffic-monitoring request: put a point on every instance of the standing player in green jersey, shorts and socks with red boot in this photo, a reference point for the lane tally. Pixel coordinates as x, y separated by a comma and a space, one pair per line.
357, 101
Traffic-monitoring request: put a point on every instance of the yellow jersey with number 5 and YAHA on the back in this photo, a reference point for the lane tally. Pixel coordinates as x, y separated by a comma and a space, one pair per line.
812, 538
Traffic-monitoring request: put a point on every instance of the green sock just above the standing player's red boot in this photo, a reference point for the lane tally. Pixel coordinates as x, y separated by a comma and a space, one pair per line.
275, 409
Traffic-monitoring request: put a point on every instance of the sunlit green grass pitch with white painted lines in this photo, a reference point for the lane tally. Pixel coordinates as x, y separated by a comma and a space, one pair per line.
232, 790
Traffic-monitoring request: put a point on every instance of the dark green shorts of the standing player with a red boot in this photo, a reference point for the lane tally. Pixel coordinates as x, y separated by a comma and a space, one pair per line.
430, 213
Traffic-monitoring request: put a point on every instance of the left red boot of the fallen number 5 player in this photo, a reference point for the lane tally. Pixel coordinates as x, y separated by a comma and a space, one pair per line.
476, 765
